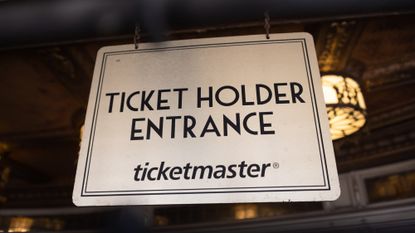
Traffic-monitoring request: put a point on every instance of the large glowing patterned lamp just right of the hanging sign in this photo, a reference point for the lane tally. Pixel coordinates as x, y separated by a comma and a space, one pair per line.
345, 104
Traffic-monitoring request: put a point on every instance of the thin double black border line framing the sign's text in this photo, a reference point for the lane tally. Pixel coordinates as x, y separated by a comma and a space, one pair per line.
318, 187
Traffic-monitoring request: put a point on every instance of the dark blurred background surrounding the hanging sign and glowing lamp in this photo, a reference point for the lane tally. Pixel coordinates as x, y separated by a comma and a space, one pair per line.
47, 55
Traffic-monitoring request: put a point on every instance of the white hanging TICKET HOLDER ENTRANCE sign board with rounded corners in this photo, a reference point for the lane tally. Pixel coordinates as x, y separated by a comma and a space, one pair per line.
237, 119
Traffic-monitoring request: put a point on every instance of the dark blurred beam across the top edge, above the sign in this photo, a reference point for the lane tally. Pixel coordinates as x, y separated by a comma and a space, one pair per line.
26, 22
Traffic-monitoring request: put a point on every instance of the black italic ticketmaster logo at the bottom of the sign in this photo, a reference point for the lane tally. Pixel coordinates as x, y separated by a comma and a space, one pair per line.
192, 172
